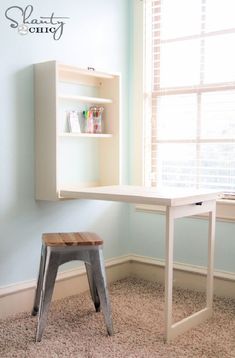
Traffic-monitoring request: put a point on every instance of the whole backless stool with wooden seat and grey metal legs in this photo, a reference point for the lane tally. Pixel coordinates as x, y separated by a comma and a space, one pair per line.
58, 248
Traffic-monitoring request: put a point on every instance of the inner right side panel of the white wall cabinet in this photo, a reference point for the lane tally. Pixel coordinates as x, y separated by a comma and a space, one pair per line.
110, 165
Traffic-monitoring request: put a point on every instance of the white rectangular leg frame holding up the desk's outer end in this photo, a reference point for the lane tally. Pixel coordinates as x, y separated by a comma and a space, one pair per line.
171, 331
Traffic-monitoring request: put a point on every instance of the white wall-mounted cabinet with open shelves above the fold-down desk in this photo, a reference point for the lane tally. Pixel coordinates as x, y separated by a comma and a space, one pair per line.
67, 160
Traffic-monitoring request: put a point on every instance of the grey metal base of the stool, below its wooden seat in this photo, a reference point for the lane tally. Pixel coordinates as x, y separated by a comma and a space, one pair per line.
51, 259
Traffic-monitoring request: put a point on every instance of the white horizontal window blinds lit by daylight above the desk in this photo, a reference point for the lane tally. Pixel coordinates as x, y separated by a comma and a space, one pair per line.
190, 94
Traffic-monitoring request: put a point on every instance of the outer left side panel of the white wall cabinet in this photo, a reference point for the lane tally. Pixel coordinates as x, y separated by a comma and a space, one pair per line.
45, 130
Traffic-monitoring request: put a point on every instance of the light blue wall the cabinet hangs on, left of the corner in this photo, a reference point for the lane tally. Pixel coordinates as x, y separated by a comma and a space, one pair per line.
95, 35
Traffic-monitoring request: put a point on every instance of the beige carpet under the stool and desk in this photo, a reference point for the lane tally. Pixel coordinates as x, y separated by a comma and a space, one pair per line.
75, 330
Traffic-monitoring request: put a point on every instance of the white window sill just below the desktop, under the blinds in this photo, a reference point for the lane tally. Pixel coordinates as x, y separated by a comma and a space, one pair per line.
225, 210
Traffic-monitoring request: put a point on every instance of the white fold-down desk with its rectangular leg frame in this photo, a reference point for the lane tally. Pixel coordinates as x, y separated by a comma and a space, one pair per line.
178, 204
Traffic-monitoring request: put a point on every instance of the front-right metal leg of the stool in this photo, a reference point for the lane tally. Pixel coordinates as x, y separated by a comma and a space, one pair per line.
97, 262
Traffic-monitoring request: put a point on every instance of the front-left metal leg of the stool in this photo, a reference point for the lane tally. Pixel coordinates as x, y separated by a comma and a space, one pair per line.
51, 268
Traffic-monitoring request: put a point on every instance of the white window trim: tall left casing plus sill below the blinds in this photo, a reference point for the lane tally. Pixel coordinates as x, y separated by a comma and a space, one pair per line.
225, 210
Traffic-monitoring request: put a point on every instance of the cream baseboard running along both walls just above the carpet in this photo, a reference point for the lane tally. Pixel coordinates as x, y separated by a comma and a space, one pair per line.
19, 297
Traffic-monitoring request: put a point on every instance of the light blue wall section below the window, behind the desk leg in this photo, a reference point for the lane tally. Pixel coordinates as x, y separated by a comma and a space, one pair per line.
147, 232
